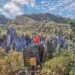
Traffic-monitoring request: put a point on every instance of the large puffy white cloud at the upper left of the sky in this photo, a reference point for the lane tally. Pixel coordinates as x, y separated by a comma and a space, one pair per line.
13, 7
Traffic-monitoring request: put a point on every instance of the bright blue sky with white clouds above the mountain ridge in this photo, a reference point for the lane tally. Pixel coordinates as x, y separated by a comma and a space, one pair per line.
12, 8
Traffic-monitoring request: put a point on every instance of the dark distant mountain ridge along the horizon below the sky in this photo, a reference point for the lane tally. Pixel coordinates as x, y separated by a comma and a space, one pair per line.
32, 18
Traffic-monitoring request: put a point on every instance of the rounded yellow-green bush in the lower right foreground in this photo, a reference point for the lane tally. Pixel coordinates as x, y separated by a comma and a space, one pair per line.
63, 64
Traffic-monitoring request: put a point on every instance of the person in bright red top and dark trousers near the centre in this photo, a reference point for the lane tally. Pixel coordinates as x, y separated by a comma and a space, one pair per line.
39, 46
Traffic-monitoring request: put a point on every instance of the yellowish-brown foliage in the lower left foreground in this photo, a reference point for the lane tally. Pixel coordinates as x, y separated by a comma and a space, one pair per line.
9, 63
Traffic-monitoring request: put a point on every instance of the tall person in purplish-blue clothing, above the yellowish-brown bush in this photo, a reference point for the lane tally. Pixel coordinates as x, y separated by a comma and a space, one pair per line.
10, 39
